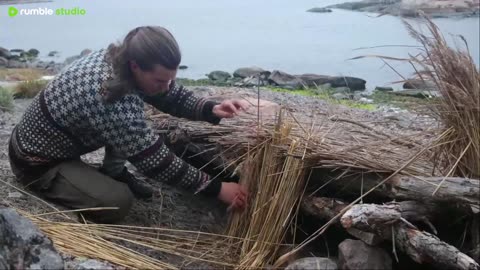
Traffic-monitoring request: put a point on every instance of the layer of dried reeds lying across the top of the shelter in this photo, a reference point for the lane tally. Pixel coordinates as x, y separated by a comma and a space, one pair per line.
330, 141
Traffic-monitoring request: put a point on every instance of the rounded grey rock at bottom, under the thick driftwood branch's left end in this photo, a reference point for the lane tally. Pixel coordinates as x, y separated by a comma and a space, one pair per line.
355, 254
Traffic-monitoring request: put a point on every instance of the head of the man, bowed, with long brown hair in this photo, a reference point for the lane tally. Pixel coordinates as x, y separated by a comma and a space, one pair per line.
147, 59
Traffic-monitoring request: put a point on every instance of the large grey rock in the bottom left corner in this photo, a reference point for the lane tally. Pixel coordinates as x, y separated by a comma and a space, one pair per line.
23, 246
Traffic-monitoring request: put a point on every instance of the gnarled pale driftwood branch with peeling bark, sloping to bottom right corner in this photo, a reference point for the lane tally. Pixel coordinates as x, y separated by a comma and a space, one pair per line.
421, 246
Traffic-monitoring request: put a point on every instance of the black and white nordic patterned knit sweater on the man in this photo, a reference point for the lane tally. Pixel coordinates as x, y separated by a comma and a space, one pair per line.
69, 118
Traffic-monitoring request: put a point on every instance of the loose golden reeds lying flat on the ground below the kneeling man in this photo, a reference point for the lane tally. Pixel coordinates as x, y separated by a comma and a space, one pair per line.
119, 244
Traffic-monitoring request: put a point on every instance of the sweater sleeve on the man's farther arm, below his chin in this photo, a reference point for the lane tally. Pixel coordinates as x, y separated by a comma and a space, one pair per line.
181, 102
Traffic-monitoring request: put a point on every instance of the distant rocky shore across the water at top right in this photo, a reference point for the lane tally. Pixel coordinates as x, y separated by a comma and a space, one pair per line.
411, 8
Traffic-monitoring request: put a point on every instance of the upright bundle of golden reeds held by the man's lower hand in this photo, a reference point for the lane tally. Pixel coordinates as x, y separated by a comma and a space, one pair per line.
276, 183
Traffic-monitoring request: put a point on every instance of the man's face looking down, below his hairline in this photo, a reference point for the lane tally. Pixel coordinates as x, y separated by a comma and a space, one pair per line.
153, 82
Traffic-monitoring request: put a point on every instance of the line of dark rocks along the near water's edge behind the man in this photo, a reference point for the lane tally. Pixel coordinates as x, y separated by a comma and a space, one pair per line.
339, 87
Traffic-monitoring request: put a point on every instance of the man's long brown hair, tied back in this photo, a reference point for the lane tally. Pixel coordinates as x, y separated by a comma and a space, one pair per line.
147, 46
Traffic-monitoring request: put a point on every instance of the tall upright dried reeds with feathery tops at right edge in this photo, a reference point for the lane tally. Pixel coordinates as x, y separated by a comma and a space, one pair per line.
457, 78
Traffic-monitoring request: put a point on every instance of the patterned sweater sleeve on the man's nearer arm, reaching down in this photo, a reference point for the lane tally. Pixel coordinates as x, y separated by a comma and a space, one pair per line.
128, 132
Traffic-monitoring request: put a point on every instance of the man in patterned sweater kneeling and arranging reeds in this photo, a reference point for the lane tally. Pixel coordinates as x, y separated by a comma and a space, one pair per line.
97, 102
